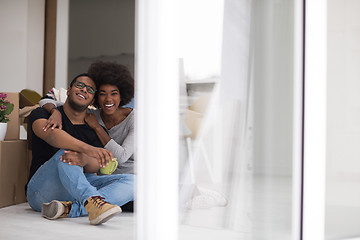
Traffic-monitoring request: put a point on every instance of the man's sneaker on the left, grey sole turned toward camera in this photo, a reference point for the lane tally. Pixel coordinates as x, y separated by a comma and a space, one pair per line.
56, 209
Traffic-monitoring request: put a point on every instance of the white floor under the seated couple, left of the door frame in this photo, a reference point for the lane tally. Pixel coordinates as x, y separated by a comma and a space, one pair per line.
21, 222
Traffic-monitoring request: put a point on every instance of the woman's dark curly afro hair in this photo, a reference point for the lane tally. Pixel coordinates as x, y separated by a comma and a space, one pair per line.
114, 74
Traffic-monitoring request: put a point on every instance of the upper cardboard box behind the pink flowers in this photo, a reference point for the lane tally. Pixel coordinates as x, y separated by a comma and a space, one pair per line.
13, 126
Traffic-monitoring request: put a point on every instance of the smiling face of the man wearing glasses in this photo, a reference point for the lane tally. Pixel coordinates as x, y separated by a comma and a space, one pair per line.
79, 98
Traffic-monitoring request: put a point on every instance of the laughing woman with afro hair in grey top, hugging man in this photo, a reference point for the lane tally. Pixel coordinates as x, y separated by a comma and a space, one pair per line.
115, 89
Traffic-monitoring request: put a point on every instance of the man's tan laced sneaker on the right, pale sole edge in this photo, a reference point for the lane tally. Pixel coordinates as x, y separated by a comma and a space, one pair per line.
100, 211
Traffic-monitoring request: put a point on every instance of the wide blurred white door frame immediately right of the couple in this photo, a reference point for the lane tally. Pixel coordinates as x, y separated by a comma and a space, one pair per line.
157, 120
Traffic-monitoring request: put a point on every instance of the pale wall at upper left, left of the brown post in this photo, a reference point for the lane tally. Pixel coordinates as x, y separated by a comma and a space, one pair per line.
21, 44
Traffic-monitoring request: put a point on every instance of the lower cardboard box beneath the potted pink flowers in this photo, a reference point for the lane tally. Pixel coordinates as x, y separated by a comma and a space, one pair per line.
14, 167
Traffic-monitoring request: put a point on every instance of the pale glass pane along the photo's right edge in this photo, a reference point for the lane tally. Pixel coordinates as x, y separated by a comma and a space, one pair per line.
343, 121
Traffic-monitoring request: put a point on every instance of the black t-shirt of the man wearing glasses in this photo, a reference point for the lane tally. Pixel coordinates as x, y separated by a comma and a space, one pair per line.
42, 151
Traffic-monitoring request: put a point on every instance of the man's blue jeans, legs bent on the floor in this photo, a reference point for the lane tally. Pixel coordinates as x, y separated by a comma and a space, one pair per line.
56, 180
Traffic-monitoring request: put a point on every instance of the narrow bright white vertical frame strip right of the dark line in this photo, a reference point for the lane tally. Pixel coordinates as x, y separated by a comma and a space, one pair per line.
314, 158
